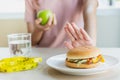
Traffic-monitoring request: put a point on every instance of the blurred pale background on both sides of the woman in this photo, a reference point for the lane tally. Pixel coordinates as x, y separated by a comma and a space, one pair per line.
108, 21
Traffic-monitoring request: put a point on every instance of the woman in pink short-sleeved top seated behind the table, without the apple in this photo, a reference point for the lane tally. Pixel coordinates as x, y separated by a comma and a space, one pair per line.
81, 13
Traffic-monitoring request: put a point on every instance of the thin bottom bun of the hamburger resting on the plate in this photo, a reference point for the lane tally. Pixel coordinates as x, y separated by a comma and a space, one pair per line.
81, 66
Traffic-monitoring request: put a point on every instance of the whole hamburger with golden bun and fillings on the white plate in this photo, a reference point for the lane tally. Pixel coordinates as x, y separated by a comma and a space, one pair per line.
84, 57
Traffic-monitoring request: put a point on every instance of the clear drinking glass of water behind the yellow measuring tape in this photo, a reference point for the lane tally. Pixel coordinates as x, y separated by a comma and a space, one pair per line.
19, 44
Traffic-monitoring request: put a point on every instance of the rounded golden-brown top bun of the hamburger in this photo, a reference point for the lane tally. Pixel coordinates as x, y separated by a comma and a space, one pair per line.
83, 52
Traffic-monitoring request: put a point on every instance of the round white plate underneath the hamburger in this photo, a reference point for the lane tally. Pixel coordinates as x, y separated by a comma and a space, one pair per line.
58, 63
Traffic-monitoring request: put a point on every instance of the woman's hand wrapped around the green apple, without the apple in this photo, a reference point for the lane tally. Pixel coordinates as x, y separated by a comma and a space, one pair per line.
51, 22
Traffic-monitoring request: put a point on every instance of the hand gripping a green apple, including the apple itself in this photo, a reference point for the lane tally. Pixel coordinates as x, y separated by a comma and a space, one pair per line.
45, 19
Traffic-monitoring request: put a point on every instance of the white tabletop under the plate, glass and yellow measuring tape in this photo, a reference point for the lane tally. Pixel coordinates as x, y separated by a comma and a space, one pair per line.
43, 72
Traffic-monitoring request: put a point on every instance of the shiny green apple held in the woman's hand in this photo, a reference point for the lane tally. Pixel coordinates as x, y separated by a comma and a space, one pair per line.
44, 15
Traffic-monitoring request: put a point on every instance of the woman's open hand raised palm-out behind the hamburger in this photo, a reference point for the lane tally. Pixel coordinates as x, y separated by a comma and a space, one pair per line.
78, 37
